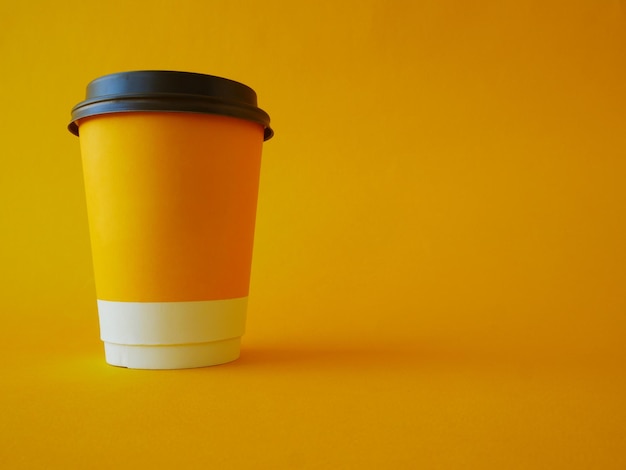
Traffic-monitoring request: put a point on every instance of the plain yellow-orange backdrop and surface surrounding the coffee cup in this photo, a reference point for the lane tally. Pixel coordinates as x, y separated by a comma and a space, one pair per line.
439, 267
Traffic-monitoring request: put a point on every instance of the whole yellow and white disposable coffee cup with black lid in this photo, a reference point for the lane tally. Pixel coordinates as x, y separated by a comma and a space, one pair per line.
171, 165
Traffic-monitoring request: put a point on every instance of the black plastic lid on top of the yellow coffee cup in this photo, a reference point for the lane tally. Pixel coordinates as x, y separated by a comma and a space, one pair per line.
163, 90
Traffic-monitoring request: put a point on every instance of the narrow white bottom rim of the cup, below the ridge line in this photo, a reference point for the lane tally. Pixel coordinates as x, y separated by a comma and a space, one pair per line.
177, 356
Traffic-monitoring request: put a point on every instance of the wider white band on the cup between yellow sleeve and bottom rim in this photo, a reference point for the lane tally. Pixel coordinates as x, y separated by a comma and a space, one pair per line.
162, 323
